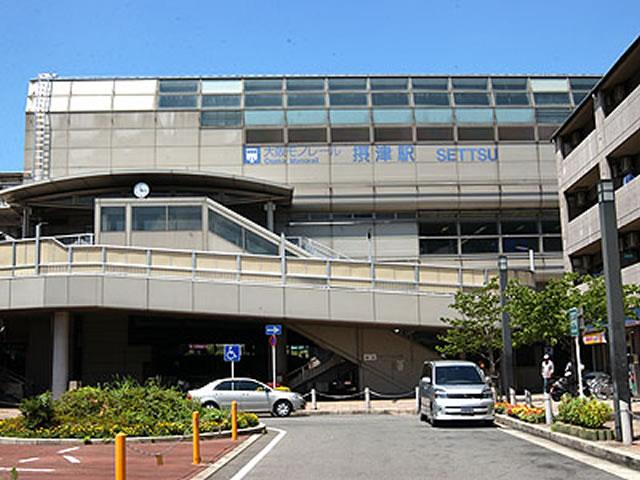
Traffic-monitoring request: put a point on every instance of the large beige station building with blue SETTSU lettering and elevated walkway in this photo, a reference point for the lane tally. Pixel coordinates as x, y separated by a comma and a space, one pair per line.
159, 218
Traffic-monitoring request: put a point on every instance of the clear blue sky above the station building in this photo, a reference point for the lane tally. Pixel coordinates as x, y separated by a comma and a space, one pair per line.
185, 37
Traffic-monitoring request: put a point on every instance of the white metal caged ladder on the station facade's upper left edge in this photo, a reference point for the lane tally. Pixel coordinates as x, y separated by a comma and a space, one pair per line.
42, 127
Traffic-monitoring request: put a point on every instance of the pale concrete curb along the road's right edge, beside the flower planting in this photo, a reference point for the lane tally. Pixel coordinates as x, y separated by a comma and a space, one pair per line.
597, 449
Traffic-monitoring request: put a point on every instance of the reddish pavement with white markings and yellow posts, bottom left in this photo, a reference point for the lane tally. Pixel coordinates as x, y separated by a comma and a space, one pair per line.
44, 462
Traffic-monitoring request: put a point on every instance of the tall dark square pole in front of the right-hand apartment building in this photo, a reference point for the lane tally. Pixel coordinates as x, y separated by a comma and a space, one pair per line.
615, 311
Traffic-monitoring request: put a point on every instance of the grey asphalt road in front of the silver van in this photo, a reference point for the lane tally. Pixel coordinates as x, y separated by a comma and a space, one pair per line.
400, 447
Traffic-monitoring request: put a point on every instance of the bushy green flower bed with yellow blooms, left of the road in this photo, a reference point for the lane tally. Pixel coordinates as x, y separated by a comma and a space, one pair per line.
124, 406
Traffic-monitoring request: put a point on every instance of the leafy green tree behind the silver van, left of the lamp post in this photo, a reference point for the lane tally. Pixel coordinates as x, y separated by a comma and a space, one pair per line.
477, 331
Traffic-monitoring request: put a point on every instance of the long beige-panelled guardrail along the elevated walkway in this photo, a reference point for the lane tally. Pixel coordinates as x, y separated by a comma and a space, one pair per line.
49, 256
